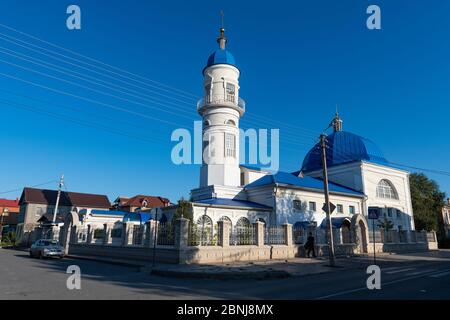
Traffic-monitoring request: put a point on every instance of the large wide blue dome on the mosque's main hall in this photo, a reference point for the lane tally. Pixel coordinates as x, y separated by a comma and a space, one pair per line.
343, 147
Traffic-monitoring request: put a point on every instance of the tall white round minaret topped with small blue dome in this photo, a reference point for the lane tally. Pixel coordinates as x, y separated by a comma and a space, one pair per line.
221, 109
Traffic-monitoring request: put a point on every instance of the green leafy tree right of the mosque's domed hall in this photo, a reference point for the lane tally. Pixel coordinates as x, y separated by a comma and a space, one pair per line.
427, 202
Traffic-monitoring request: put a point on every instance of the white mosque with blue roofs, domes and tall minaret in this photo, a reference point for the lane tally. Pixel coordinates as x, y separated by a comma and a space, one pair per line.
360, 177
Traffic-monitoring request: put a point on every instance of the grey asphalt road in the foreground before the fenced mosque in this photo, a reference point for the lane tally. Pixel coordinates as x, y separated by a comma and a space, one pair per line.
412, 276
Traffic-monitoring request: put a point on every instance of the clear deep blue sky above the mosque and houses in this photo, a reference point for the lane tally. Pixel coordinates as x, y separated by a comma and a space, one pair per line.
298, 60
